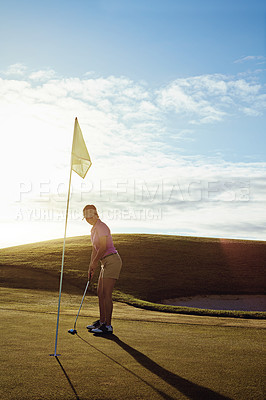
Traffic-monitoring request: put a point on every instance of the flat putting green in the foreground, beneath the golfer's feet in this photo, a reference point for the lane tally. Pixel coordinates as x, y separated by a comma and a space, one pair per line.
151, 355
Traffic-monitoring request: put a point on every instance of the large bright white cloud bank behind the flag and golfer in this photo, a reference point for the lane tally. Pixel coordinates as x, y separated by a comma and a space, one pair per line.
129, 130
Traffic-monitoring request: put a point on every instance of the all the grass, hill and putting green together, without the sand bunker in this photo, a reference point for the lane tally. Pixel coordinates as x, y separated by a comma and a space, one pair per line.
153, 354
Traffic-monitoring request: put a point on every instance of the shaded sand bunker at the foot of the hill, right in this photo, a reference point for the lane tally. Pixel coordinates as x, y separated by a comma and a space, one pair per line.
222, 302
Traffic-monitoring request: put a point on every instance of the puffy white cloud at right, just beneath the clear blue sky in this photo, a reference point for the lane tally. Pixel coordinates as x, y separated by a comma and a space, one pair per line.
210, 98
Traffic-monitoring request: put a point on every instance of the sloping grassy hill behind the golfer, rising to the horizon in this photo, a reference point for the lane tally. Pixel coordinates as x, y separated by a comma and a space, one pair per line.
155, 267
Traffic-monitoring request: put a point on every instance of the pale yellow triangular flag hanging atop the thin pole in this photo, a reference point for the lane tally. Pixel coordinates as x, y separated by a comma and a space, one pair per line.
80, 159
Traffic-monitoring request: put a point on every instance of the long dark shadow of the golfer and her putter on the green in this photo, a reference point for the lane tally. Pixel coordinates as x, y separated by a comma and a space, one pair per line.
189, 389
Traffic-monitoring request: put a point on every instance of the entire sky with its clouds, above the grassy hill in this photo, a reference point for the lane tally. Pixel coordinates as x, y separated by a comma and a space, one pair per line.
170, 97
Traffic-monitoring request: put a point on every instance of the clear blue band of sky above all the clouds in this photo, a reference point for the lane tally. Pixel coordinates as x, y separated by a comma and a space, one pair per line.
152, 40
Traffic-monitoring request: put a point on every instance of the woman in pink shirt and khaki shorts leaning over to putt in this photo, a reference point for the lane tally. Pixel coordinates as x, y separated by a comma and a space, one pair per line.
103, 250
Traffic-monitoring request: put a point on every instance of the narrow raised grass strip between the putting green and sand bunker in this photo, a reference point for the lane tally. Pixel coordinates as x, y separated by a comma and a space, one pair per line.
133, 301
